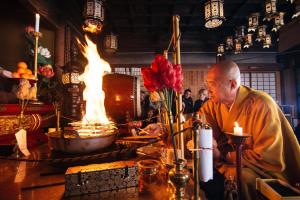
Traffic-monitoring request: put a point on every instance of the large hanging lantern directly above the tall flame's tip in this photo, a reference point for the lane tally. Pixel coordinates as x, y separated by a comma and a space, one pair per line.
93, 16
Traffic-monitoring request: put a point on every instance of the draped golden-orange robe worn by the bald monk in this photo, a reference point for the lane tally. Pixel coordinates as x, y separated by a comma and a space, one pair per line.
273, 147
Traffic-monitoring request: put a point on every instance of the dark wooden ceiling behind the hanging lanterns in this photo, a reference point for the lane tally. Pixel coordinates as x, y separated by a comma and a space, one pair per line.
146, 25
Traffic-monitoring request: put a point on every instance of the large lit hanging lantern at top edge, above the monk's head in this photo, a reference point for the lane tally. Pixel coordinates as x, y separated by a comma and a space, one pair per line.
214, 13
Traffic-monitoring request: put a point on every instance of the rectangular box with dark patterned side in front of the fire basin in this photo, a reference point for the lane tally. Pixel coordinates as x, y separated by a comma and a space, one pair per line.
100, 177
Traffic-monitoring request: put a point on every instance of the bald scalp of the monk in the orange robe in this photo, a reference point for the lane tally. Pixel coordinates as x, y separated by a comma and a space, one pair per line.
226, 70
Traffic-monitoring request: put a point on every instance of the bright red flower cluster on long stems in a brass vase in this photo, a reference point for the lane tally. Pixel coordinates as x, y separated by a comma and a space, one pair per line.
165, 78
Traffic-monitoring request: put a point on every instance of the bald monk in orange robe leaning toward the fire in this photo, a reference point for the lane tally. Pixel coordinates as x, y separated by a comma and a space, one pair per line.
272, 151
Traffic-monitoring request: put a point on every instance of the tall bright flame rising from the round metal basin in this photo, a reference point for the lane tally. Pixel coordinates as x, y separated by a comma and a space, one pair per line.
93, 78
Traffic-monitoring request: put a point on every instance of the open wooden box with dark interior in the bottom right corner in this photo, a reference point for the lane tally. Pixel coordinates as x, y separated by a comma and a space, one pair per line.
276, 189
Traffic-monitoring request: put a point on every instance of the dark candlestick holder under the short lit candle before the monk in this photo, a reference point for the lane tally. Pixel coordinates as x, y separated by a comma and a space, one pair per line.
238, 142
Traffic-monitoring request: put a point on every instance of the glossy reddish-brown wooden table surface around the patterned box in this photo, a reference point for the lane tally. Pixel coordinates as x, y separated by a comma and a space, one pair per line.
41, 180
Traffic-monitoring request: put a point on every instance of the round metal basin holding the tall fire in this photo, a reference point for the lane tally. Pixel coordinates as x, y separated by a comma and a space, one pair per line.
70, 143
